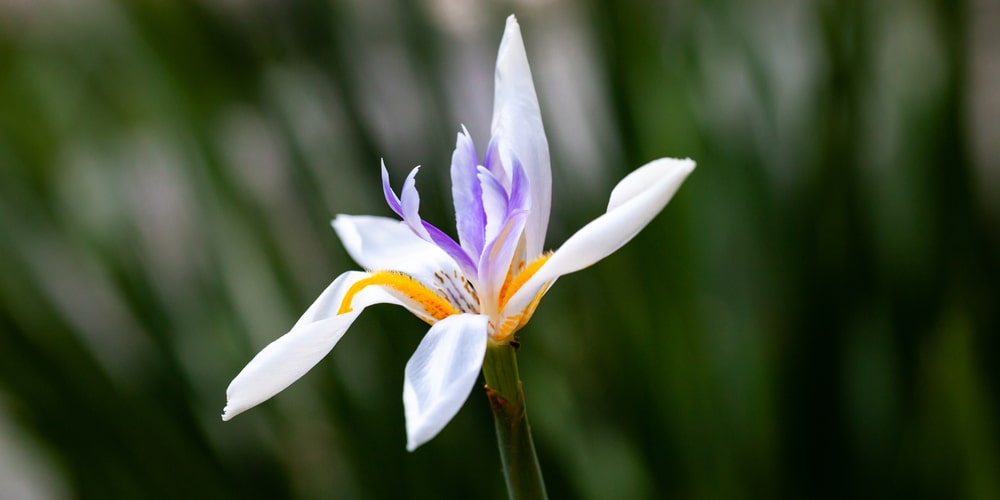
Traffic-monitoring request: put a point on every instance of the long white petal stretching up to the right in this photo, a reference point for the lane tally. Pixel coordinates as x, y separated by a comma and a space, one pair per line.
633, 204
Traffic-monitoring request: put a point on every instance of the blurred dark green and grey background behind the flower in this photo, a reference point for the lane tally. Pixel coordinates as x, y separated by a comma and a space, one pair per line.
815, 315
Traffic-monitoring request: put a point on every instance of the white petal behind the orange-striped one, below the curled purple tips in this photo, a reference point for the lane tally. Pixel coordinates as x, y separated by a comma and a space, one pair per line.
381, 243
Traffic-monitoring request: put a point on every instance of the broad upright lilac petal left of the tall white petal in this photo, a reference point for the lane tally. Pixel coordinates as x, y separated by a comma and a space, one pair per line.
470, 216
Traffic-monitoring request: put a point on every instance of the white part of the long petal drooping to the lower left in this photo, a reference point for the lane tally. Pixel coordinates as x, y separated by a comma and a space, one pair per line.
292, 355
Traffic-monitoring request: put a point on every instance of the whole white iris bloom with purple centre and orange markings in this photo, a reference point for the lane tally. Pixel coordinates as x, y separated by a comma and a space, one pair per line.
472, 292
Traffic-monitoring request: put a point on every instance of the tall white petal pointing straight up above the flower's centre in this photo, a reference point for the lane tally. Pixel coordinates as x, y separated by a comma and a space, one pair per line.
517, 126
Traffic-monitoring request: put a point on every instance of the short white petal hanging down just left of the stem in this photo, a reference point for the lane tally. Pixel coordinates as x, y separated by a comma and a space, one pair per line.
441, 374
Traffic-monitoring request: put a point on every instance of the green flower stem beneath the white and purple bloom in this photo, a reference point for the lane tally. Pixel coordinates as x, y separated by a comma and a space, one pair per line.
517, 451
